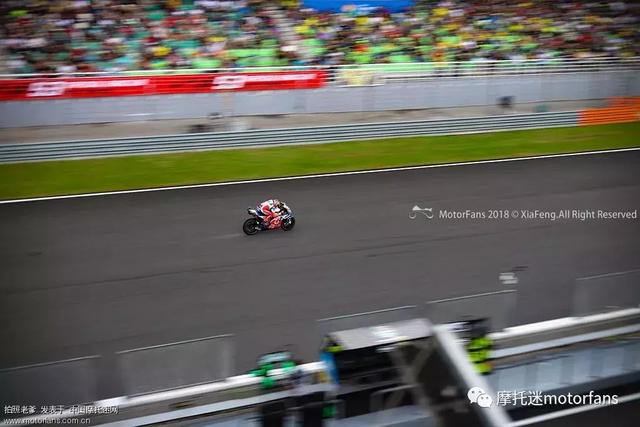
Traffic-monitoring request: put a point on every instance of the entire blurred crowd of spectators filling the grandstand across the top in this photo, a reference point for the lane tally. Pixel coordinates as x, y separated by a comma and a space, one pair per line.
107, 35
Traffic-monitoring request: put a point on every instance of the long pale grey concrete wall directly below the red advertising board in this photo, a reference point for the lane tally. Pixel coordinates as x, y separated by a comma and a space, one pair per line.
436, 93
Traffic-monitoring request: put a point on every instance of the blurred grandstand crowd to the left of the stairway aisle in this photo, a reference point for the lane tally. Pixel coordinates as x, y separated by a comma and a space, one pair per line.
111, 35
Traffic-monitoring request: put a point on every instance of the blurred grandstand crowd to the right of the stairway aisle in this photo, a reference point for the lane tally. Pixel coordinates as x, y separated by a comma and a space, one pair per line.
452, 30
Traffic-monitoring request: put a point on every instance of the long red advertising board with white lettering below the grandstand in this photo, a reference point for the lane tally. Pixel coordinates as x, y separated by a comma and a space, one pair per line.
94, 87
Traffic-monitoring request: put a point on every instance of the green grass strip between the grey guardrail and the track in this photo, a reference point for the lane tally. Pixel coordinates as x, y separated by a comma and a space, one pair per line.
23, 180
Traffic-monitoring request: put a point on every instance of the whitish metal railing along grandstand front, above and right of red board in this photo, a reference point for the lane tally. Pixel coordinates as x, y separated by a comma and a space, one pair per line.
363, 74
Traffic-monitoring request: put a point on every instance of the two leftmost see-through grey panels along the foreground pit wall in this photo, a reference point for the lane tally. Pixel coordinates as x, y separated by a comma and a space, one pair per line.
141, 370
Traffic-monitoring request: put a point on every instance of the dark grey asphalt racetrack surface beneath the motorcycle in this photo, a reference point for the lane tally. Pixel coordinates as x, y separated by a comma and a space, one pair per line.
101, 274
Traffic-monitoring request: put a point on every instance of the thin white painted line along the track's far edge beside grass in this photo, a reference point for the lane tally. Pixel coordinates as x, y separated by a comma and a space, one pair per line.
320, 175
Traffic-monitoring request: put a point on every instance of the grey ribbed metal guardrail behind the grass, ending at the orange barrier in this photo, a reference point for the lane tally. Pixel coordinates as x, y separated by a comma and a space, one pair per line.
12, 153
